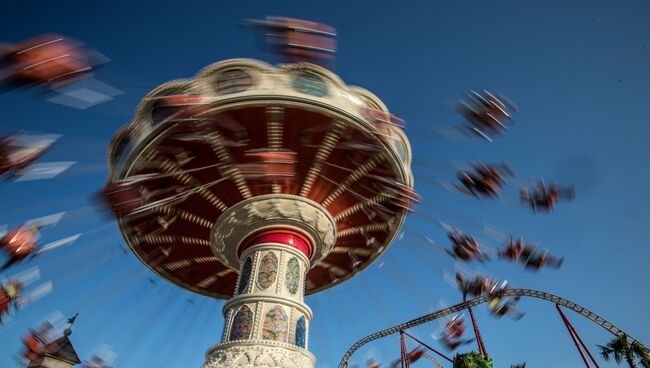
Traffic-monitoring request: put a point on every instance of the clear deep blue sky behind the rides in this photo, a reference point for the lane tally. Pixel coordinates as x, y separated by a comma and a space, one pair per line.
578, 71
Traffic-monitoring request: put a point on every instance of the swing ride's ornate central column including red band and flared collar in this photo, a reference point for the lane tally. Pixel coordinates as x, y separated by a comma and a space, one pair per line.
266, 321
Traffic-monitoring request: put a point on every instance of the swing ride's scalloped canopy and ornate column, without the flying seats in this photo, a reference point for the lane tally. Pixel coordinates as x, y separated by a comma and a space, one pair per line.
257, 216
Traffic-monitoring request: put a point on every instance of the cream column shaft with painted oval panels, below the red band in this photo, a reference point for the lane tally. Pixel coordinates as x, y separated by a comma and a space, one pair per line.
266, 321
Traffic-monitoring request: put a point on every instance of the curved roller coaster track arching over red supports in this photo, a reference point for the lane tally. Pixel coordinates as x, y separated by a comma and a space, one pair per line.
483, 299
